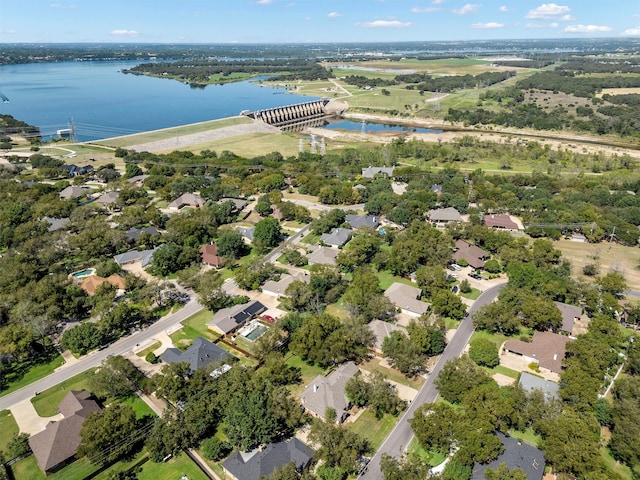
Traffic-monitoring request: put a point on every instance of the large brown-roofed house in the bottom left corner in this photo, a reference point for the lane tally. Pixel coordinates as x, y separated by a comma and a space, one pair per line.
56, 445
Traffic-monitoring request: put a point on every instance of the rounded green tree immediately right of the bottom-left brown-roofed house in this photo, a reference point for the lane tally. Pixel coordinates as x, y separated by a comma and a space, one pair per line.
109, 435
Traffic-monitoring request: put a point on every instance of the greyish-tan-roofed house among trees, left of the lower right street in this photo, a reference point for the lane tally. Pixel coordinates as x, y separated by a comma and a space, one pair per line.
328, 392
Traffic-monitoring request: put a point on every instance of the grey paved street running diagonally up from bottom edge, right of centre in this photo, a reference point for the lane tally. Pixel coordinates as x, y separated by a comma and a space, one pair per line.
401, 435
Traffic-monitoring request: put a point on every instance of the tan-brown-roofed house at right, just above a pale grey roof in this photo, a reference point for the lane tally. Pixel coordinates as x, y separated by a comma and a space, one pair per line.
547, 349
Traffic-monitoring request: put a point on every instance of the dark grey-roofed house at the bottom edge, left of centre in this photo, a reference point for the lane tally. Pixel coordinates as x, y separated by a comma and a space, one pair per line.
261, 462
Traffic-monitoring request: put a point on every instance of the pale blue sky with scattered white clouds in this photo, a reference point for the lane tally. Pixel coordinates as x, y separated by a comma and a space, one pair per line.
312, 21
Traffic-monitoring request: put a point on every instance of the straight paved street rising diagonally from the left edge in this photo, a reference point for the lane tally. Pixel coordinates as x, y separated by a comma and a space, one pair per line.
95, 358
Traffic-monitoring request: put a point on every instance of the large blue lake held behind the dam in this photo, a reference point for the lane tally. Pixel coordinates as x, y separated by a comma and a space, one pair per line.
103, 102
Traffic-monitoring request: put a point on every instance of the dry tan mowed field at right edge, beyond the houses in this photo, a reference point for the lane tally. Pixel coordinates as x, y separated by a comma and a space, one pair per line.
609, 256
